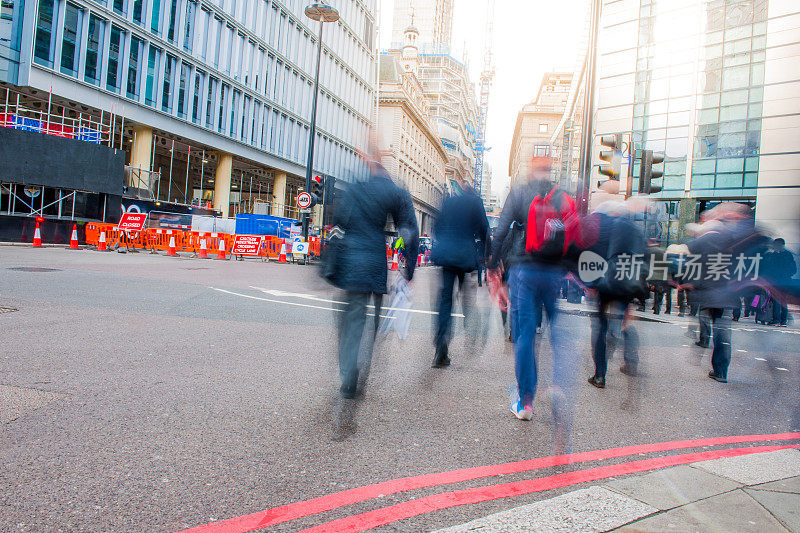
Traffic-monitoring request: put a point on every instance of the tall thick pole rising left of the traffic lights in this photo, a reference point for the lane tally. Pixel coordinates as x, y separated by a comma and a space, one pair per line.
587, 131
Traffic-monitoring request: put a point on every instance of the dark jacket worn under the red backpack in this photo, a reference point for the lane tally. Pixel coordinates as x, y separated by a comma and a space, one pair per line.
516, 210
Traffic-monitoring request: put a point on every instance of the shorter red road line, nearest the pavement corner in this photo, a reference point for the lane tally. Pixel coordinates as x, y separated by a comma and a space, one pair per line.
400, 511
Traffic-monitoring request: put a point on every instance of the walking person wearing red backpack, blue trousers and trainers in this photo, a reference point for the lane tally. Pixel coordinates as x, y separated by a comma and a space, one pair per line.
546, 213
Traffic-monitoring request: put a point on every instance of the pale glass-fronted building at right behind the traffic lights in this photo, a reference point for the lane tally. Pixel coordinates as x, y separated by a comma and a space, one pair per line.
713, 85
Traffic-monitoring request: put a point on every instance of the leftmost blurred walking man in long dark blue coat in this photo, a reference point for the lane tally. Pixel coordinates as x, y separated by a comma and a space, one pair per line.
362, 273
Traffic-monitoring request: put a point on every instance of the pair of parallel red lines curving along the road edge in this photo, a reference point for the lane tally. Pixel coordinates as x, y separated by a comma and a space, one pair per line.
364, 521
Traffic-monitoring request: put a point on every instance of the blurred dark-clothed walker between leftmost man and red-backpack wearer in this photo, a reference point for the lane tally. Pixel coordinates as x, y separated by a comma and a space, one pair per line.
461, 223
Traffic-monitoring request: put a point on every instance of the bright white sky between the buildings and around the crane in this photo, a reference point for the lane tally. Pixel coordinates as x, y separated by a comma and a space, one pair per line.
531, 37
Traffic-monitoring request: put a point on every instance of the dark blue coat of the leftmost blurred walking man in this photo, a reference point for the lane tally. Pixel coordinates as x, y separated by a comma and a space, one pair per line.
362, 216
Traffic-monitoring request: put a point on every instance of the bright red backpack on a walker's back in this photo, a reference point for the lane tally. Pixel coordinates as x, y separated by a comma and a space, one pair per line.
552, 224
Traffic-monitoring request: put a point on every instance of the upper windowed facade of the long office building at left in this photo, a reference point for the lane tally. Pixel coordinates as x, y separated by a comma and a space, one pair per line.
230, 77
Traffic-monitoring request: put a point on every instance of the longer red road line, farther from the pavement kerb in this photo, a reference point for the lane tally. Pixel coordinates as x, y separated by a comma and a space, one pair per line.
293, 511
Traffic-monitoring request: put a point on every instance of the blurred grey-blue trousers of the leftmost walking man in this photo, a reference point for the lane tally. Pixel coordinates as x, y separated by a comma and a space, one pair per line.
351, 332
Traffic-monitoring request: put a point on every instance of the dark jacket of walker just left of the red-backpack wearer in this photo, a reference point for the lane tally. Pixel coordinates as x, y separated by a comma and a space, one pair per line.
461, 222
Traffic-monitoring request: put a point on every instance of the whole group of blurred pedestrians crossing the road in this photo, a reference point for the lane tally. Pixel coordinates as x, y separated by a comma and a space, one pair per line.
725, 270
